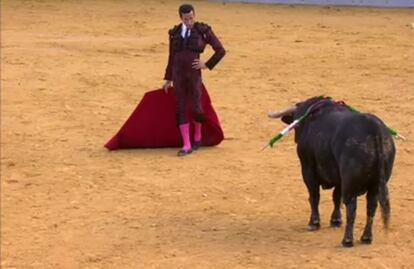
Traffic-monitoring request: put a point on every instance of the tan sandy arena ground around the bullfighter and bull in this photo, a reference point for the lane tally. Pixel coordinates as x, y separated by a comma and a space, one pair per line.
73, 71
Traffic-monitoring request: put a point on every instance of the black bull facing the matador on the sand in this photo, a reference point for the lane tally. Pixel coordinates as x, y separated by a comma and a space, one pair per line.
348, 151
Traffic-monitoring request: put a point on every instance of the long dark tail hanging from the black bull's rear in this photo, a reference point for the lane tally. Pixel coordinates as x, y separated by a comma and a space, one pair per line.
383, 195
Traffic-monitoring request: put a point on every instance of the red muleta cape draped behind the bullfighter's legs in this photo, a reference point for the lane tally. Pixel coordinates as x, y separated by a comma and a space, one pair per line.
153, 124
